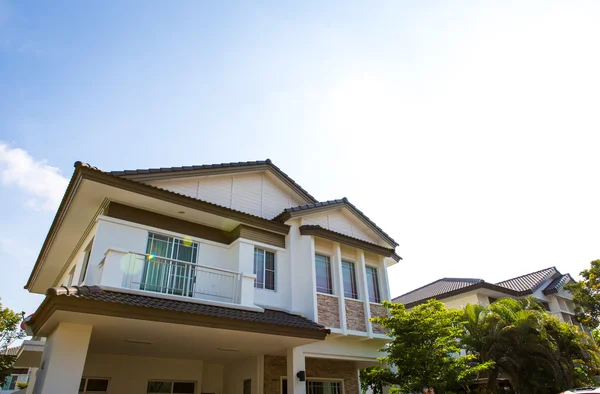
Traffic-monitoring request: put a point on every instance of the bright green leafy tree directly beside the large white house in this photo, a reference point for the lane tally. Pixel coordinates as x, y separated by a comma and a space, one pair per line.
425, 351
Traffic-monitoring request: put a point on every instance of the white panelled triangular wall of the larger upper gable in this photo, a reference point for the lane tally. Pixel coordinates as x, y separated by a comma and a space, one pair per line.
255, 193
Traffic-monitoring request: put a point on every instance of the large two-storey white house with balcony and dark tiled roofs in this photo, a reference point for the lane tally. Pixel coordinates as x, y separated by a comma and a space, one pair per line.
223, 279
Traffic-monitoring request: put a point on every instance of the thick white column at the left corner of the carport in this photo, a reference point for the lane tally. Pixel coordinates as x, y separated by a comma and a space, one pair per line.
63, 359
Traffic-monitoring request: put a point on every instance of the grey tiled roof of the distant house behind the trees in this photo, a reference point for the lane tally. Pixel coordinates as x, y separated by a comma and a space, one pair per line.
519, 286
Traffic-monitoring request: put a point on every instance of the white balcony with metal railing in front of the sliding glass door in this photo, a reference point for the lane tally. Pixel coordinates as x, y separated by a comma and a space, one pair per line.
171, 277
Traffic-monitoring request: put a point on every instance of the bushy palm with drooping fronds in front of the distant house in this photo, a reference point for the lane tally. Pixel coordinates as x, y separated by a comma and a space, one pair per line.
535, 351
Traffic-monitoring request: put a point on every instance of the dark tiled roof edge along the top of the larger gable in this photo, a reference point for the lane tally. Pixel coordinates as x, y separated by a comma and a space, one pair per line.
216, 169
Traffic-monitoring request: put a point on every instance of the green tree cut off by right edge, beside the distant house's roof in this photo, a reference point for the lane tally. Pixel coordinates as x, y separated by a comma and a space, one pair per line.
586, 296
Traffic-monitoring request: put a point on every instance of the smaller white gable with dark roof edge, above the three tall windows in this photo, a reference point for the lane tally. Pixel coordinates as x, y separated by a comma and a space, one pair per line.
338, 215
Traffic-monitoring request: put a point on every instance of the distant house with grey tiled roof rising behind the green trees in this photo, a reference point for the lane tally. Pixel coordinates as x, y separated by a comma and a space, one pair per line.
547, 286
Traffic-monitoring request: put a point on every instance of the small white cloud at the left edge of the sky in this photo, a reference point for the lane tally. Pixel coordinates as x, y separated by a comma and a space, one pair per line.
43, 183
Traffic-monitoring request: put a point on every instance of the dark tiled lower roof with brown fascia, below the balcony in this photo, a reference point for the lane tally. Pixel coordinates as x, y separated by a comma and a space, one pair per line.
96, 301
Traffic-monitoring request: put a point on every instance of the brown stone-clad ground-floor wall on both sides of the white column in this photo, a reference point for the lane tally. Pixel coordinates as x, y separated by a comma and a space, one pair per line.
276, 367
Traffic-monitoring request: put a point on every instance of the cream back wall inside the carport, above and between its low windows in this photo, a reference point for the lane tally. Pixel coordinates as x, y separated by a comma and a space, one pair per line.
130, 374
